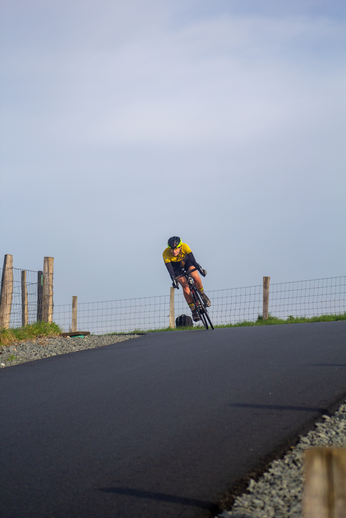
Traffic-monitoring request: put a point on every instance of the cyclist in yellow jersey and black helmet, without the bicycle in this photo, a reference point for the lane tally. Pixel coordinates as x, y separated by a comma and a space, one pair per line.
177, 256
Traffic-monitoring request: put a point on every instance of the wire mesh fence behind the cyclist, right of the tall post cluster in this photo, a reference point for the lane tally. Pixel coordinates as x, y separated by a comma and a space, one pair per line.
299, 299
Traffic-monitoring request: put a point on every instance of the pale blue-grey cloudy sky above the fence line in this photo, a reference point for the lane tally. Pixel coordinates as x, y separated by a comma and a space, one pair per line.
125, 123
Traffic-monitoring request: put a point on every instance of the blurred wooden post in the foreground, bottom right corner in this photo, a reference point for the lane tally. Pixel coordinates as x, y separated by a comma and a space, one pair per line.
325, 483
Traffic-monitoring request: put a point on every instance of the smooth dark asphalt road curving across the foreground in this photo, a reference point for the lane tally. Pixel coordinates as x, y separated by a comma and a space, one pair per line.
160, 426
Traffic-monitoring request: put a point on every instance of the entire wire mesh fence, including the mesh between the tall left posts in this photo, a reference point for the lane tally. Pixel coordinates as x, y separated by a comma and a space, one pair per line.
307, 298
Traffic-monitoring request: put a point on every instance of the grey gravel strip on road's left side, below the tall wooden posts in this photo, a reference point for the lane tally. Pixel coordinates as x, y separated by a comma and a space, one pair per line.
44, 347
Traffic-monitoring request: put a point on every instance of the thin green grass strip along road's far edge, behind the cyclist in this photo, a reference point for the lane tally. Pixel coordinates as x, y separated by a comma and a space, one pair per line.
259, 322
